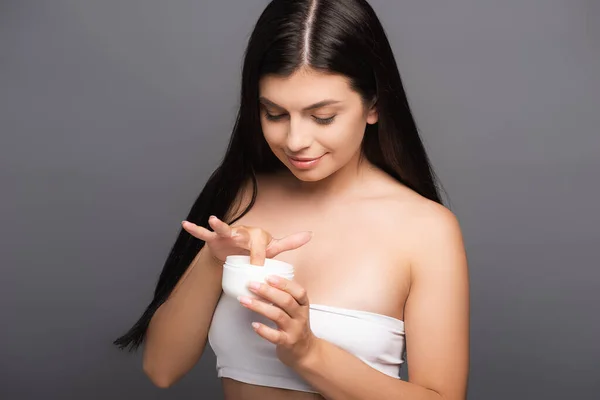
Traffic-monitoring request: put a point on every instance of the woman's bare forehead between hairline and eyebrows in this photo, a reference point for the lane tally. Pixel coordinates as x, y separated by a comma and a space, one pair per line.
305, 87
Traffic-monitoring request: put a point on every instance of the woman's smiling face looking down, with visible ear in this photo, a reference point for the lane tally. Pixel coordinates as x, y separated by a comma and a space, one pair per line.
313, 122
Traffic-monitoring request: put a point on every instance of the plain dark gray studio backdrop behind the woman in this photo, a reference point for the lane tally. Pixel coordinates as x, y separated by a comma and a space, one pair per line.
113, 114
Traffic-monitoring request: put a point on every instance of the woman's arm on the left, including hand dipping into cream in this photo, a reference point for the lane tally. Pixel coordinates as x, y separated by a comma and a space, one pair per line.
178, 331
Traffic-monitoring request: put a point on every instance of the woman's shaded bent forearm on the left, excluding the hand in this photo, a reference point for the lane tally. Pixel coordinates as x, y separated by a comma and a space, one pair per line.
178, 331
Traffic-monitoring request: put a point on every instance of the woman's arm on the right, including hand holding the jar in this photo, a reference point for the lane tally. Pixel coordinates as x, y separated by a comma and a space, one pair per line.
436, 321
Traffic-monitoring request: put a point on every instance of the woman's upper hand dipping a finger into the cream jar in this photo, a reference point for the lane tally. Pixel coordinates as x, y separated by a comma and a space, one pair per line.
227, 240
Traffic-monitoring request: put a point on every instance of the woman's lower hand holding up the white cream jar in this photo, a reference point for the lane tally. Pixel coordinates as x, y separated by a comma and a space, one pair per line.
290, 311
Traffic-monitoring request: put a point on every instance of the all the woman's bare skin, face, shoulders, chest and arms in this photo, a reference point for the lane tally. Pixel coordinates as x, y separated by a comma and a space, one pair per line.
357, 238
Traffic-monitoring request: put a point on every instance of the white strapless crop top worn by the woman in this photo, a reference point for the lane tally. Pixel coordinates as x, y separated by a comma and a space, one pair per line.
245, 356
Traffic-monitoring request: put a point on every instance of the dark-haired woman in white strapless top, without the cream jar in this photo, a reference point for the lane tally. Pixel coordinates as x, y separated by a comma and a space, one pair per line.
325, 170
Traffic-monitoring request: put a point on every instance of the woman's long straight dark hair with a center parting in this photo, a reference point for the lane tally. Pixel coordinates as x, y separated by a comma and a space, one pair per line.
341, 37
